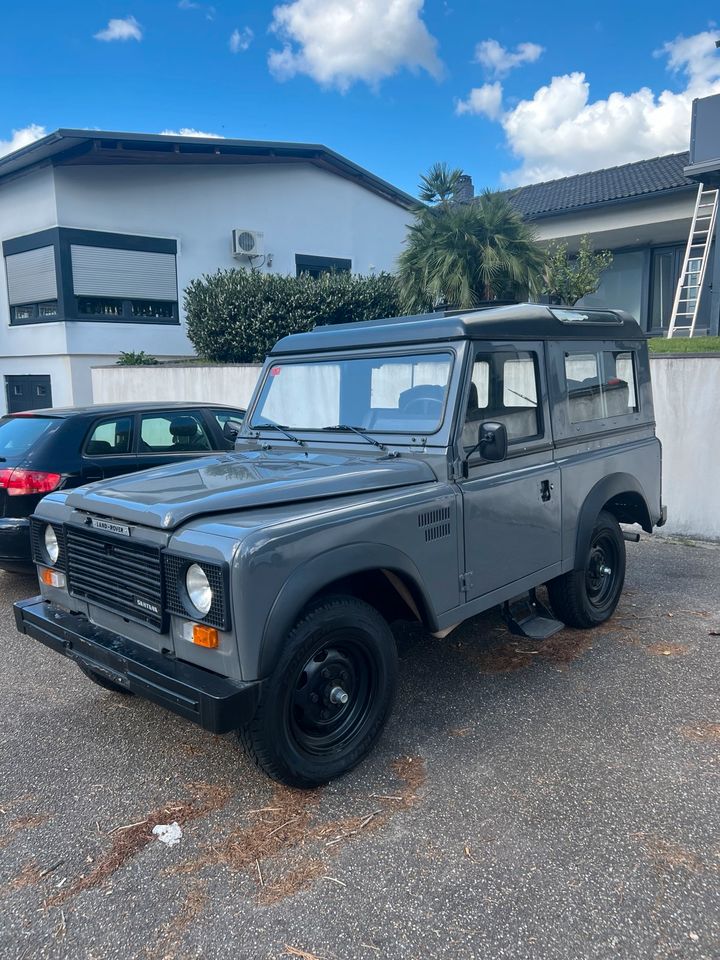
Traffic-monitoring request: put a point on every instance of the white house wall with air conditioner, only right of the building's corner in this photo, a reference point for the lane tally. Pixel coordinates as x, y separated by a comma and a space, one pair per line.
298, 208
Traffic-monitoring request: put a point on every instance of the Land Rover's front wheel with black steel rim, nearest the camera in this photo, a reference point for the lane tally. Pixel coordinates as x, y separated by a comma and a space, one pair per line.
336, 637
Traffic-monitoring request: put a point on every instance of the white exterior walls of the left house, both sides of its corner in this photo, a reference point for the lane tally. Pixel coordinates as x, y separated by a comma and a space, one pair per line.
299, 208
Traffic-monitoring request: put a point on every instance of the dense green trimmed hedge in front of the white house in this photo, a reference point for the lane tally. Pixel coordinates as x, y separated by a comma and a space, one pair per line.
236, 316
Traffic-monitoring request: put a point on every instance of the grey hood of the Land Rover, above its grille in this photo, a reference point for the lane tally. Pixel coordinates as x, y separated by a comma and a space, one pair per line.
168, 496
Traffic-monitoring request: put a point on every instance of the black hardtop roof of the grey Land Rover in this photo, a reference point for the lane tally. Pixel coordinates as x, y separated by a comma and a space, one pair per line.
521, 321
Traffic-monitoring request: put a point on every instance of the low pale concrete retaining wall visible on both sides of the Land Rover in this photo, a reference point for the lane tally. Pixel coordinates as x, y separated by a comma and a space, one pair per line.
687, 411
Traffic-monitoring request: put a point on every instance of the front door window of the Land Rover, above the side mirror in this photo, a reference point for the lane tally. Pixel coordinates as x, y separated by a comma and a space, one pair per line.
505, 385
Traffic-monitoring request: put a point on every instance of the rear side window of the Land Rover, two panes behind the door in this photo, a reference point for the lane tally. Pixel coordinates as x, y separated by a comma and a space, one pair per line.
600, 385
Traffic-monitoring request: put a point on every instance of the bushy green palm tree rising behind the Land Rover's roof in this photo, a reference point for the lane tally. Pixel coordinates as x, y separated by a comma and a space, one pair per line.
461, 253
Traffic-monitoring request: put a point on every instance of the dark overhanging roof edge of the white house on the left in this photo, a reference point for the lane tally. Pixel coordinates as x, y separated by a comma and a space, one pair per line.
97, 147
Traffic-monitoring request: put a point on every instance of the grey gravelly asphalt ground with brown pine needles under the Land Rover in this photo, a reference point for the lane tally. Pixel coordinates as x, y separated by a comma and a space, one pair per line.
555, 800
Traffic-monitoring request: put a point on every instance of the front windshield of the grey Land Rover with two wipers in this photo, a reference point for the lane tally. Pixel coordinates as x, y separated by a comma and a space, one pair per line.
399, 394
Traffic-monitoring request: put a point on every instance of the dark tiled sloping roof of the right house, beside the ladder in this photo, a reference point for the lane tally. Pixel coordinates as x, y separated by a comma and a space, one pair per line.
631, 181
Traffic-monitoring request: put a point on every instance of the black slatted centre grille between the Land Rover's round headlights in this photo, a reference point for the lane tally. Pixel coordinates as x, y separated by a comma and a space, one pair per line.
120, 575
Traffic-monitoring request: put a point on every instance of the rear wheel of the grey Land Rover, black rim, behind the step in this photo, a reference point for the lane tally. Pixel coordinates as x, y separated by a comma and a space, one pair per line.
575, 597
